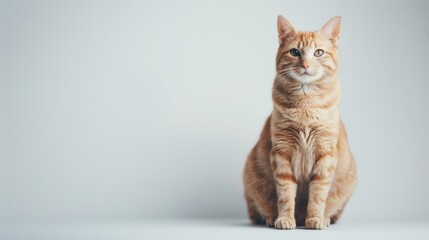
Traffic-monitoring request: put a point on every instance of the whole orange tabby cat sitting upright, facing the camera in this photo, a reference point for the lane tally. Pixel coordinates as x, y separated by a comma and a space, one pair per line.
301, 171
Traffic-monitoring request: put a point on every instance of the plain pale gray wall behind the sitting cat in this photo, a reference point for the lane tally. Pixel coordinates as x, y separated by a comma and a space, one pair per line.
125, 110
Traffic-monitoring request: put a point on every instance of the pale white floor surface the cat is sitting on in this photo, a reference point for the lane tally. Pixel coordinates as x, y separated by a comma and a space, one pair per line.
211, 229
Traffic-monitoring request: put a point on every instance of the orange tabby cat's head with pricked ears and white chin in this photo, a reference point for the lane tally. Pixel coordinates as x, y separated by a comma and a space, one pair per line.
307, 56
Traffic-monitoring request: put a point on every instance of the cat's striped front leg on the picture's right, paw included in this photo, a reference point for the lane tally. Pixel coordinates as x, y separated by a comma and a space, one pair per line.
320, 183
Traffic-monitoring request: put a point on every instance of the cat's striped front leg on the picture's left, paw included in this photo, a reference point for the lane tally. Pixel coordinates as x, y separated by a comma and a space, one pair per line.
286, 186
